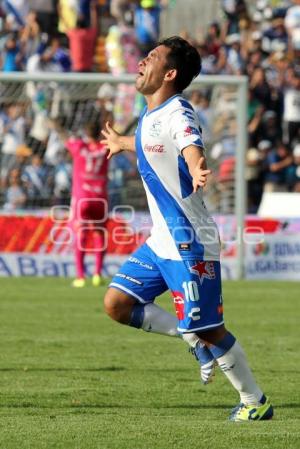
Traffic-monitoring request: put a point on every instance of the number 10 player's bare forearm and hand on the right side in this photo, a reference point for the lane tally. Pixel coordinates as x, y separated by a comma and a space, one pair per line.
196, 162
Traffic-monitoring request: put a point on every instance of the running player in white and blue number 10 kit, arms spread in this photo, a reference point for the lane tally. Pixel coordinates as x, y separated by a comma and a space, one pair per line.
182, 253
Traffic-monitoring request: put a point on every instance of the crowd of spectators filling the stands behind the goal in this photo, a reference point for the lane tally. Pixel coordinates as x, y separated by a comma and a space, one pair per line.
260, 40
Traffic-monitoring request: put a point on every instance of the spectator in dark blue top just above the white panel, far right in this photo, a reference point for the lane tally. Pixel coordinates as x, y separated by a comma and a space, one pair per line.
277, 163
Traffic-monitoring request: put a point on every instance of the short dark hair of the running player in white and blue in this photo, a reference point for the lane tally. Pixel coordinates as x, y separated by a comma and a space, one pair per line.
184, 58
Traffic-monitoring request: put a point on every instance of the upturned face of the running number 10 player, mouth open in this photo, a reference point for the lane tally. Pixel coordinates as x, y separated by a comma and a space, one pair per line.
152, 70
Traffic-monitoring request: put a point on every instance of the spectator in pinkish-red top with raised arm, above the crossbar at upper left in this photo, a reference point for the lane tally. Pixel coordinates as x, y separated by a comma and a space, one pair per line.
82, 41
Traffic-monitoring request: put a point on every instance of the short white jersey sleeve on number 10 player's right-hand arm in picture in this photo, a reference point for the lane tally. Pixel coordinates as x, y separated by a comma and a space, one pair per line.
185, 128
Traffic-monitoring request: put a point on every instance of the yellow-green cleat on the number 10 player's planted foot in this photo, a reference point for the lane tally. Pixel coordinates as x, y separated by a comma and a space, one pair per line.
243, 412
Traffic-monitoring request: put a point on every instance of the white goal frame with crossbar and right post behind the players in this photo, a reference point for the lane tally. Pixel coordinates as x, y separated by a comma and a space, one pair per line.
84, 87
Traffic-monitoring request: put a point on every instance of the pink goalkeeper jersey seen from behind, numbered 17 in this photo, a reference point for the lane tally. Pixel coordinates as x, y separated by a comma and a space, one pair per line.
90, 166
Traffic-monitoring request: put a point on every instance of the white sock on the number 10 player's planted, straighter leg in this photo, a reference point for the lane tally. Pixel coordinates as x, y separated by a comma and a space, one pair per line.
235, 367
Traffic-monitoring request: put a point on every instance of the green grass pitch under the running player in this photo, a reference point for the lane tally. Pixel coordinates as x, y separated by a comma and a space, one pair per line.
72, 378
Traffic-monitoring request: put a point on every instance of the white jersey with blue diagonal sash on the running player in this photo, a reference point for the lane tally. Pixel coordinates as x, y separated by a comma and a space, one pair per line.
182, 227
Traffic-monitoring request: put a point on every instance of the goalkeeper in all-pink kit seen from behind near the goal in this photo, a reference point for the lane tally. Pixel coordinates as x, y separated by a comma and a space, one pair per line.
89, 205
